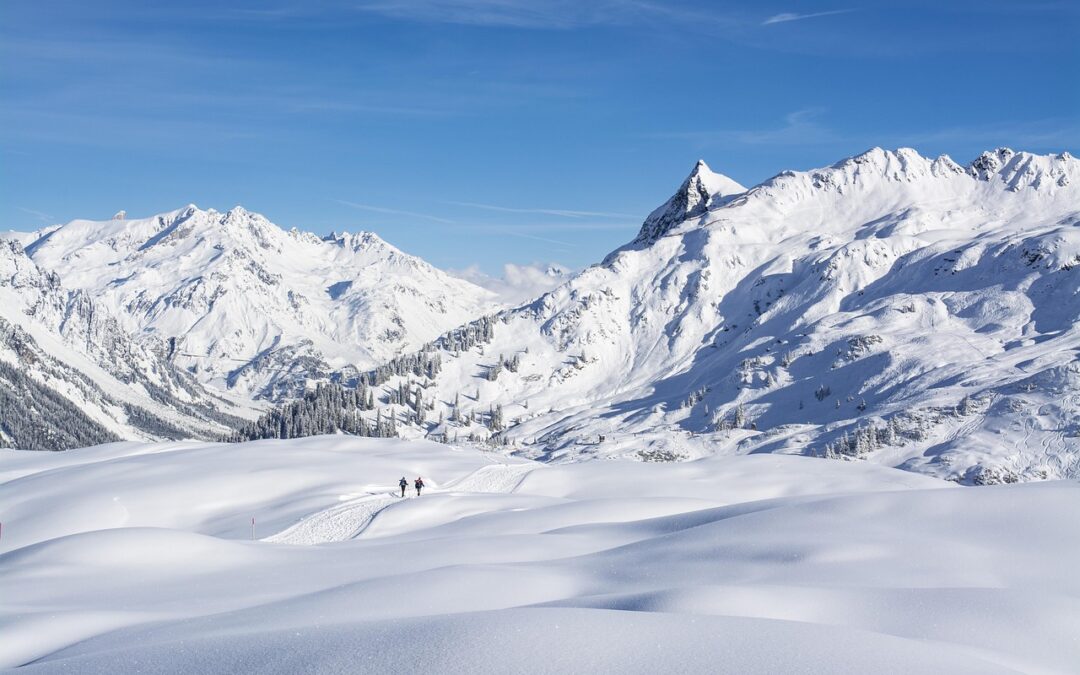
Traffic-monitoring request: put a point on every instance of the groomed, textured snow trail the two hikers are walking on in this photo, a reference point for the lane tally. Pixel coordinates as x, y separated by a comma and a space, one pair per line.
348, 520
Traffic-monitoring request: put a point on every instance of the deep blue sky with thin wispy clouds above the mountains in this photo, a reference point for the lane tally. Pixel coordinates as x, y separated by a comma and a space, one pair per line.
499, 131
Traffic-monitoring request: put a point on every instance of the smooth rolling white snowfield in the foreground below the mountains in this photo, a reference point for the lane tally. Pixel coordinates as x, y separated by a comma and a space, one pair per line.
139, 558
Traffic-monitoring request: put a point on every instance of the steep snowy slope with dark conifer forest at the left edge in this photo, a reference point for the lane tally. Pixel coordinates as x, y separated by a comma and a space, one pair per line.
71, 376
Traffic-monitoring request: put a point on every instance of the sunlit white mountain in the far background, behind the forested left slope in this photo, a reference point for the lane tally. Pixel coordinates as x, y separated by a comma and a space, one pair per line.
255, 309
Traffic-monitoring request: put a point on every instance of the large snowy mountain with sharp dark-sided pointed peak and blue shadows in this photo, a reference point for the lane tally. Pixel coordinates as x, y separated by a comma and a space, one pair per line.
895, 307
